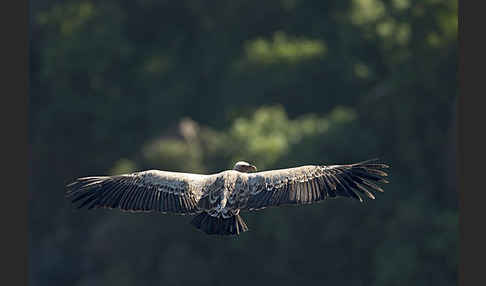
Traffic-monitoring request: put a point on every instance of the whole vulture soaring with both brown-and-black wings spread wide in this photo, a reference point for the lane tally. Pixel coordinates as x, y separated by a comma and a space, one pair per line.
216, 200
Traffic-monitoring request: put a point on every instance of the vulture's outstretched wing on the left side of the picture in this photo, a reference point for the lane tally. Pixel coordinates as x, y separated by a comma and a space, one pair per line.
146, 191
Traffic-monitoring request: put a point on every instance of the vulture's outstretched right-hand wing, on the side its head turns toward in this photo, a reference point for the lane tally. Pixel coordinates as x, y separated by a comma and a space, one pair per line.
308, 184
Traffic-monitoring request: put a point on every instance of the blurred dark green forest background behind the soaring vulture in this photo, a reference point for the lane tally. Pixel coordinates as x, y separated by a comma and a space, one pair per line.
121, 86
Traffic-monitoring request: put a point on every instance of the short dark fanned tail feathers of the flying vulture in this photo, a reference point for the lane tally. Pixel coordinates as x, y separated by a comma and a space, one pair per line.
218, 225
